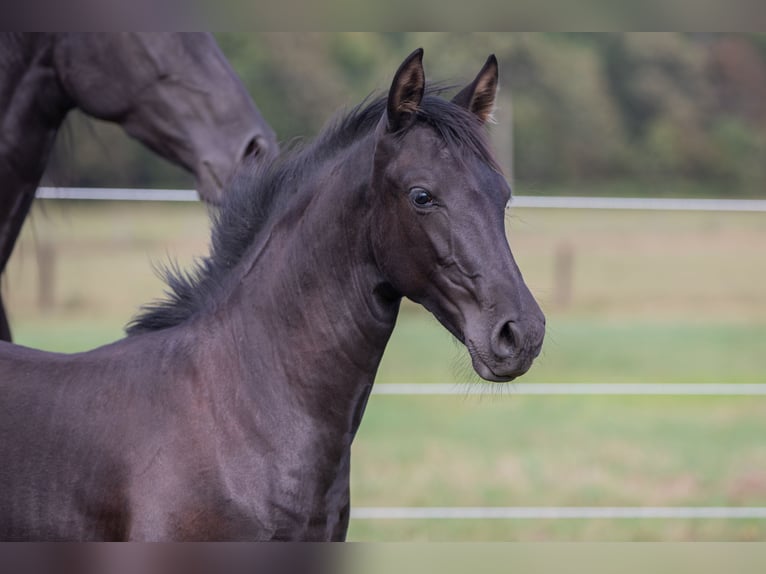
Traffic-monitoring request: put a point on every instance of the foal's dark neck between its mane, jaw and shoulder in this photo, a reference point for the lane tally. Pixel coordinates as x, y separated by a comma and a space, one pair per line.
319, 317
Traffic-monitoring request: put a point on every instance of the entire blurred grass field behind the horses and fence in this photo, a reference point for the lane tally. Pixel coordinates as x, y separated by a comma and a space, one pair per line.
655, 298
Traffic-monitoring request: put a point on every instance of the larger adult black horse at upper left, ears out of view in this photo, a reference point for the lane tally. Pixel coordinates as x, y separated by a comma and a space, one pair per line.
173, 92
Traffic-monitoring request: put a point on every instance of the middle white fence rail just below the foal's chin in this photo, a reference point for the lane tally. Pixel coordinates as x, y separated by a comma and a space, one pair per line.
512, 389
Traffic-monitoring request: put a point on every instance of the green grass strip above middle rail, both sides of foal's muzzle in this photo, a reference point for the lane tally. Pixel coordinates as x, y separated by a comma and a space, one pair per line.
591, 351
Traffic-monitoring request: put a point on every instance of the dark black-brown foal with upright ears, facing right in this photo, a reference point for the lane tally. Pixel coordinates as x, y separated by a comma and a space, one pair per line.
229, 410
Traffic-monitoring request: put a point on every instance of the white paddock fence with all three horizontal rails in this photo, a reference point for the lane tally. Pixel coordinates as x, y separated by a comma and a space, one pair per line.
514, 389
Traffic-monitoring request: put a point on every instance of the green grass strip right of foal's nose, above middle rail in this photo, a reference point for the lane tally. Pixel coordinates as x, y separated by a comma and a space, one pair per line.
651, 351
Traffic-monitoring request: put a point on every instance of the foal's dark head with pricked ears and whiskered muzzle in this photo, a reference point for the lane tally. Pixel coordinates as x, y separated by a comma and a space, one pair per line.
439, 238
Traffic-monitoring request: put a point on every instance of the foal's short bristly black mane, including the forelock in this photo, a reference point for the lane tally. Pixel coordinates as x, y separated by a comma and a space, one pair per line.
258, 195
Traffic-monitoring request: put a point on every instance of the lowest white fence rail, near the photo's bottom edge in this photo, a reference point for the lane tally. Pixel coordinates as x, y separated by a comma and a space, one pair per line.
557, 512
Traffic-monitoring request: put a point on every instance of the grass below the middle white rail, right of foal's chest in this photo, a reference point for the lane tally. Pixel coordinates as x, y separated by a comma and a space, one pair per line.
560, 451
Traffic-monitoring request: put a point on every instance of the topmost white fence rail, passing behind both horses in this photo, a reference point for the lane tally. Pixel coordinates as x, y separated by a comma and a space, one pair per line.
642, 203
